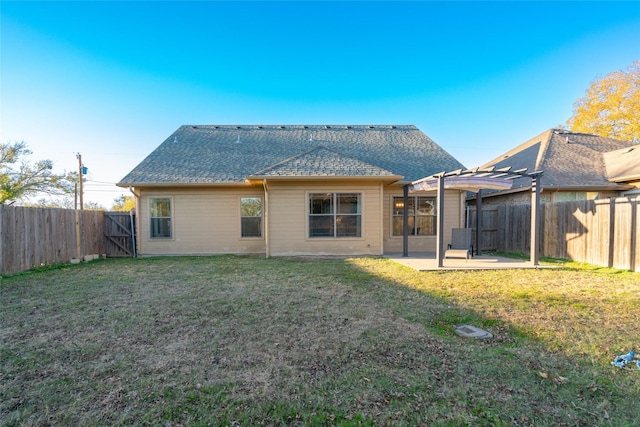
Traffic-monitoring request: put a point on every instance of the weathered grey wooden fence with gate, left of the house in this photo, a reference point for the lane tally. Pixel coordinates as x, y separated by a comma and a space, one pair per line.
33, 237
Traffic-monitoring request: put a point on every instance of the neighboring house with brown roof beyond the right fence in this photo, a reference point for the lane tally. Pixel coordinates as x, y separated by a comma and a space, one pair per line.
576, 166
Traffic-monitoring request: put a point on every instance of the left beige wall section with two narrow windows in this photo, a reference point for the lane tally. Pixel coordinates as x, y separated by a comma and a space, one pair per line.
204, 221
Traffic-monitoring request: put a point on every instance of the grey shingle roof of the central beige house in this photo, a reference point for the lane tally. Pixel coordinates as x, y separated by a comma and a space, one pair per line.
231, 154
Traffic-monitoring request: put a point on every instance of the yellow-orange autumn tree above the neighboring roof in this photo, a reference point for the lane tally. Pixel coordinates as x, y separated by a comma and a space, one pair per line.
610, 106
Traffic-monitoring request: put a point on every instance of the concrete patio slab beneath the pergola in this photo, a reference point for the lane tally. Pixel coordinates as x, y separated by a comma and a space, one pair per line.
426, 261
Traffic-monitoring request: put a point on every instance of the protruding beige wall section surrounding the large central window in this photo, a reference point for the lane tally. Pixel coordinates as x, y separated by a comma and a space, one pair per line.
289, 217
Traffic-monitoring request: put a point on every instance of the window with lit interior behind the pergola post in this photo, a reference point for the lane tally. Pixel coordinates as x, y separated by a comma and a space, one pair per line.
422, 216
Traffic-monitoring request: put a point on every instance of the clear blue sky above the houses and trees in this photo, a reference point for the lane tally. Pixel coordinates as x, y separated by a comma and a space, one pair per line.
112, 80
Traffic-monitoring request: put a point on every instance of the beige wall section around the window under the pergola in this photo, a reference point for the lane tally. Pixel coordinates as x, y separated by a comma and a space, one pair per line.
453, 218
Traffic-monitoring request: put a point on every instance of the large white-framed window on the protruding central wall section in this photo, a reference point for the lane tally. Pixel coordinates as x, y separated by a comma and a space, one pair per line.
335, 215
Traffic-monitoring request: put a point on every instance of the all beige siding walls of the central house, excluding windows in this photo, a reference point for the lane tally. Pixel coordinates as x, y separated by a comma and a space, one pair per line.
207, 221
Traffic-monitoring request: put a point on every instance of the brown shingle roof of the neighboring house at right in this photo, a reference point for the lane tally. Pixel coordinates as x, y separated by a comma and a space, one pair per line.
569, 160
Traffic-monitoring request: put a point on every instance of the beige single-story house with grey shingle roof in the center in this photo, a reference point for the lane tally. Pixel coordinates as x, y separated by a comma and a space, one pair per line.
290, 190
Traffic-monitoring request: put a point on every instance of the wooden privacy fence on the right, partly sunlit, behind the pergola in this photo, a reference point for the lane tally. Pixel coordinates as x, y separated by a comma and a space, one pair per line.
601, 232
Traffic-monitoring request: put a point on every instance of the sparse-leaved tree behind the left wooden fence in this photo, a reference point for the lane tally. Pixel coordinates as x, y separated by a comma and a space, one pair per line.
20, 179
